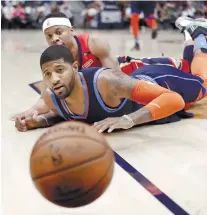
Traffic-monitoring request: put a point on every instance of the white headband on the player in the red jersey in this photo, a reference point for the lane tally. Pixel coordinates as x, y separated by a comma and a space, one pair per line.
55, 21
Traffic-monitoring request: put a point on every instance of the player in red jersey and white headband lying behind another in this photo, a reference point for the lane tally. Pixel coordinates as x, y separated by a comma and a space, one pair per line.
92, 51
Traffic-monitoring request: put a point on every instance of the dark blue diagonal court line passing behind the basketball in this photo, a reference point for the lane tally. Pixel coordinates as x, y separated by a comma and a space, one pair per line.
142, 180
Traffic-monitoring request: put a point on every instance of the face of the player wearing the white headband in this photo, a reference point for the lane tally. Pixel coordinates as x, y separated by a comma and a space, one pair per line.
59, 35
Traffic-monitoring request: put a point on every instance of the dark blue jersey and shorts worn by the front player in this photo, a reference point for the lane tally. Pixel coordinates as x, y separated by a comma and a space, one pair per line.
187, 85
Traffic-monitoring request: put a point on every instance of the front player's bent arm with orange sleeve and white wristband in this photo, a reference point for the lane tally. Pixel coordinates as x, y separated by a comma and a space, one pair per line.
159, 102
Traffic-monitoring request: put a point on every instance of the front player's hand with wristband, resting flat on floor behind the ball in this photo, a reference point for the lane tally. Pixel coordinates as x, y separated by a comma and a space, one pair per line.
112, 123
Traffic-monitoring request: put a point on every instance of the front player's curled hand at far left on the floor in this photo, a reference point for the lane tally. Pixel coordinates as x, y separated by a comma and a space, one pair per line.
23, 124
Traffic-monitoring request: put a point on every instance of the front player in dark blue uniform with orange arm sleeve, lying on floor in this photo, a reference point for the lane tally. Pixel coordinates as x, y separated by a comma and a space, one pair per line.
111, 100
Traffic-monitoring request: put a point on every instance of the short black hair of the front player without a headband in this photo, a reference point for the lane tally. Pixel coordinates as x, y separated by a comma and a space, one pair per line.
56, 52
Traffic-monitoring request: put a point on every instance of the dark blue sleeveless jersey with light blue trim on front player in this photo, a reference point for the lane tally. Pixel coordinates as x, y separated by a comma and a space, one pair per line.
95, 109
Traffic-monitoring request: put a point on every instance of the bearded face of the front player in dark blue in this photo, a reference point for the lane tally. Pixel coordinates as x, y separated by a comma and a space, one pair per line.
59, 76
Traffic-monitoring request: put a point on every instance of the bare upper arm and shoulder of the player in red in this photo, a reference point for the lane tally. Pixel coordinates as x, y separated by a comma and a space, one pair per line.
102, 50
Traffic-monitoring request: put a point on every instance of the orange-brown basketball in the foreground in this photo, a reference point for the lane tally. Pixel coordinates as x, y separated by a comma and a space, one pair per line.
71, 164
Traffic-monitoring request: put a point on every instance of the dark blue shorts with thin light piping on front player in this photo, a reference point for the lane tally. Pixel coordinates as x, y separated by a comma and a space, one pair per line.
187, 85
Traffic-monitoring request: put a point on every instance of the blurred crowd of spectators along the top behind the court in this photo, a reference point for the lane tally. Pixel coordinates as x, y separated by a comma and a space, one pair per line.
30, 14
